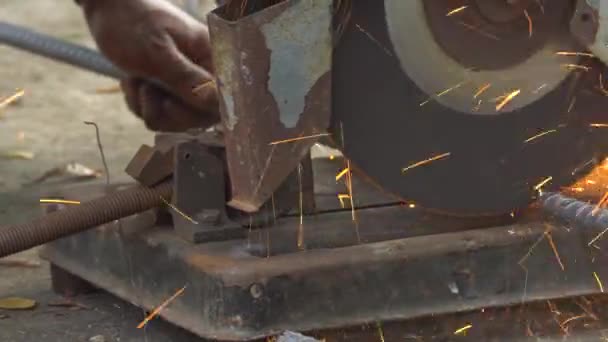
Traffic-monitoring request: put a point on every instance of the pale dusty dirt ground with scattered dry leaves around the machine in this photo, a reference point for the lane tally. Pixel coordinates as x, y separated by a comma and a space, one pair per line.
48, 123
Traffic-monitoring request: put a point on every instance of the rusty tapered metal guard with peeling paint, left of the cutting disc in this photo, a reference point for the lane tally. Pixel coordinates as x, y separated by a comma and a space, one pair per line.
273, 73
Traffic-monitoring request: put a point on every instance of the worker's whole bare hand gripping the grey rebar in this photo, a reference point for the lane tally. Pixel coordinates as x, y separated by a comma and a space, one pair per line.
152, 40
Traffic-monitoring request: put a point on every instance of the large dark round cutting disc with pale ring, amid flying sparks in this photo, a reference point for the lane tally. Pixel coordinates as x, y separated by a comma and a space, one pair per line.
461, 106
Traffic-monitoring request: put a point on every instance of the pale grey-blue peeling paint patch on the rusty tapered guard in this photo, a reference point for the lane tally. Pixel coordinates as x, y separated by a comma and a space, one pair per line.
300, 42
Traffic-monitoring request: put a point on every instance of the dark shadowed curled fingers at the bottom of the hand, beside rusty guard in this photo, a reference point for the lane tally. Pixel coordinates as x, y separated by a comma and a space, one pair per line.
163, 112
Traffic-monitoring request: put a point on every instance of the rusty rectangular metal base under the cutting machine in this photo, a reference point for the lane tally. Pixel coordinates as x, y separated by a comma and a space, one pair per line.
233, 295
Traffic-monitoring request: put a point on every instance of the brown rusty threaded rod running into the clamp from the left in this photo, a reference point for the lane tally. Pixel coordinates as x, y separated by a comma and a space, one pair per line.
61, 223
